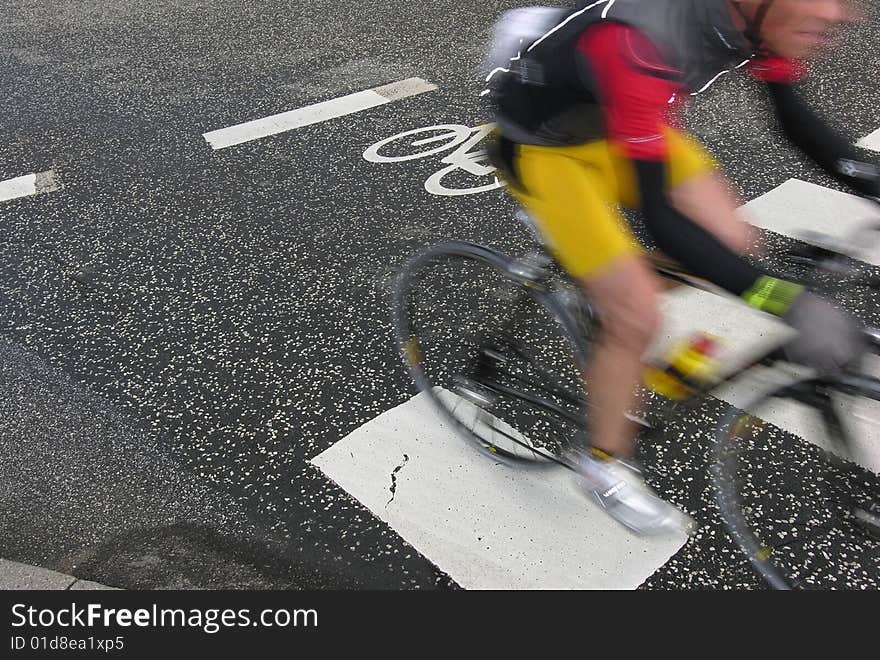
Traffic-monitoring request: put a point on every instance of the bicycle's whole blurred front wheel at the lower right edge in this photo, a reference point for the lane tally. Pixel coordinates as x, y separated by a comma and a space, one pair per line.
796, 508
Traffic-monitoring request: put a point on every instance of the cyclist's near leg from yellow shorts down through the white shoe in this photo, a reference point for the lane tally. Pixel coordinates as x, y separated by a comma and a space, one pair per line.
570, 191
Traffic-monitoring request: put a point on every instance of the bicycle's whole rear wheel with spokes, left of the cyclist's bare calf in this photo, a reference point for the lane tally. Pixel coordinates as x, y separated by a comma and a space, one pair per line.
496, 352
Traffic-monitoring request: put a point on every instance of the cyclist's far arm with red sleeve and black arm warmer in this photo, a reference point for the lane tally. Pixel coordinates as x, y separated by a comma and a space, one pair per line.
815, 137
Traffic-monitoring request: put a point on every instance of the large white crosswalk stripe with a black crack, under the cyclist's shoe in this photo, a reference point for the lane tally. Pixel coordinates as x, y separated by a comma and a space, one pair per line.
488, 525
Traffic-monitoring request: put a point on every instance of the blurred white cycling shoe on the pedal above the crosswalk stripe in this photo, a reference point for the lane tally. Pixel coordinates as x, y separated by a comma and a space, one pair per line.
622, 493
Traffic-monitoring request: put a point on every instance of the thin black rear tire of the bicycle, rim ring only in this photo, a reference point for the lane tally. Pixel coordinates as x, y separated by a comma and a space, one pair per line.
404, 334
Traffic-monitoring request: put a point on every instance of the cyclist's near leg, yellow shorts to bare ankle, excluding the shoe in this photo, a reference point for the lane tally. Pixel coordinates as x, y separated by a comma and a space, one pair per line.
570, 192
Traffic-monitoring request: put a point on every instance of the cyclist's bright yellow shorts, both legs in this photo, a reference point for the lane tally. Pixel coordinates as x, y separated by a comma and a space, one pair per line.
573, 193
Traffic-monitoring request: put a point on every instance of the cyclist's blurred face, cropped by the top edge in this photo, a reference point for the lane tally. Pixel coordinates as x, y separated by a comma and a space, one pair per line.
798, 29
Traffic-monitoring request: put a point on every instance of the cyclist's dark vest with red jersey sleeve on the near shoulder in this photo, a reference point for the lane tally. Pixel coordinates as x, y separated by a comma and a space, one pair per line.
600, 66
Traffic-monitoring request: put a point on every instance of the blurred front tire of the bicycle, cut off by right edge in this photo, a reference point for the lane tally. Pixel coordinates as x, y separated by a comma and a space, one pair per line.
723, 467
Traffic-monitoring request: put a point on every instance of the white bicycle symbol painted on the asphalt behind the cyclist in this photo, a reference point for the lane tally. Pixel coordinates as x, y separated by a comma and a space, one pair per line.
465, 157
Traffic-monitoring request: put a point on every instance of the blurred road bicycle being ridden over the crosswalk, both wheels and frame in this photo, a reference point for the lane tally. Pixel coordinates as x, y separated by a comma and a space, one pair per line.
508, 379
